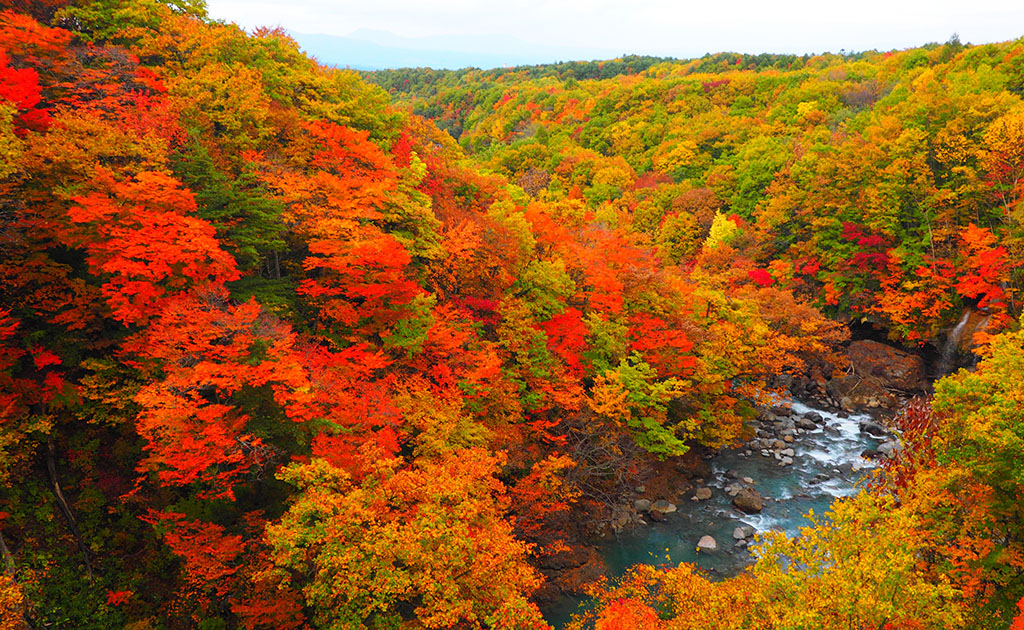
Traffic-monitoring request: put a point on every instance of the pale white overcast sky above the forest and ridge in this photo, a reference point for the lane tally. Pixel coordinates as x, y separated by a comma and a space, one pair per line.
679, 28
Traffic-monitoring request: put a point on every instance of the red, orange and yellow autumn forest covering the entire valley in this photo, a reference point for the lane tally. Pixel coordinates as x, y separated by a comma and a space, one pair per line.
290, 347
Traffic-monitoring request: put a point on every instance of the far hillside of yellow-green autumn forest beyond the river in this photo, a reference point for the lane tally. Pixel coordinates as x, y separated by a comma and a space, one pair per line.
884, 186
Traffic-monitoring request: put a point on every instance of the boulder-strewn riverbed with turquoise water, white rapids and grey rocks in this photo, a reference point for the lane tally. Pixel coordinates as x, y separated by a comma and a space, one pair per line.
801, 459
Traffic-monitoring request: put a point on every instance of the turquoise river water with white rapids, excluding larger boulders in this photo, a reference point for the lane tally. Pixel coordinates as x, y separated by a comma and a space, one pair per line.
827, 465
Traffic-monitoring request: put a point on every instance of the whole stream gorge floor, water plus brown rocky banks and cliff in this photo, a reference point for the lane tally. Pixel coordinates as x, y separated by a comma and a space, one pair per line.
803, 456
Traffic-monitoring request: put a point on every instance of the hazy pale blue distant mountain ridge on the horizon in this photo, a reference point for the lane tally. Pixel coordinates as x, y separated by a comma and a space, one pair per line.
368, 50
